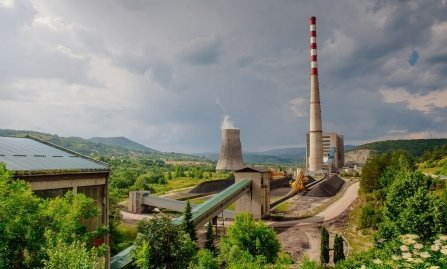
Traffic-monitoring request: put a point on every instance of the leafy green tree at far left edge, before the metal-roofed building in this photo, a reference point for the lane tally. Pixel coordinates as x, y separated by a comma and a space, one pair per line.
21, 227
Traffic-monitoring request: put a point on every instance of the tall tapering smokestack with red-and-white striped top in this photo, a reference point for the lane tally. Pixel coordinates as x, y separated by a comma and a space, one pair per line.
315, 126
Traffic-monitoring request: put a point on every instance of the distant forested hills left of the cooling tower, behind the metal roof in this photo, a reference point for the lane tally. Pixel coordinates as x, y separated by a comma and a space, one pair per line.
97, 150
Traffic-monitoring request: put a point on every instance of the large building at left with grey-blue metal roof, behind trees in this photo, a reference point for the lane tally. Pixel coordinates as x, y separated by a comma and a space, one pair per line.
52, 171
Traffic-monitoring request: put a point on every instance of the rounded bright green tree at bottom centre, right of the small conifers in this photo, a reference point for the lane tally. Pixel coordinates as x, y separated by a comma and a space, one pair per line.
249, 237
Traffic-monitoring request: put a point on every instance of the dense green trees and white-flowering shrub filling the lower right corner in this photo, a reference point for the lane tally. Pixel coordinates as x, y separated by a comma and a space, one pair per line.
405, 211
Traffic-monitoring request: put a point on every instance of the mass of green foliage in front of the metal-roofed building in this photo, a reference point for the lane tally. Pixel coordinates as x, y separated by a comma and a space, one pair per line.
35, 232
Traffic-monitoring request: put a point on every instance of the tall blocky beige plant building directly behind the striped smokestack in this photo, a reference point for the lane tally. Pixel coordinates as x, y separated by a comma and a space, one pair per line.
330, 140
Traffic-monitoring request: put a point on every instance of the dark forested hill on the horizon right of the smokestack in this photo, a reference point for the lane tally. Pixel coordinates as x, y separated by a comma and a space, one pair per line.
415, 147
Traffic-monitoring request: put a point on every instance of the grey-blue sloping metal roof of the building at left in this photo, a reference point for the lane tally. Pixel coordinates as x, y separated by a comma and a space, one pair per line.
30, 154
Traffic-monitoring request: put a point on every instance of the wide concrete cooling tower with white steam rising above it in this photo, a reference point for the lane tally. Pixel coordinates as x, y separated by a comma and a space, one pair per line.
230, 157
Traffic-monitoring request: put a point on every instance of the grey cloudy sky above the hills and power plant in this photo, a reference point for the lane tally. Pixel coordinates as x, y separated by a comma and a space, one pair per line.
166, 73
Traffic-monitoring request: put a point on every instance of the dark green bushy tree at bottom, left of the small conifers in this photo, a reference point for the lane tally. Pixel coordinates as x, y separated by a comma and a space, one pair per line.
161, 244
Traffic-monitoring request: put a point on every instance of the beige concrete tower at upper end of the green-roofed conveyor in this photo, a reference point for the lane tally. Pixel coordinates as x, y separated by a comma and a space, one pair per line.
257, 201
